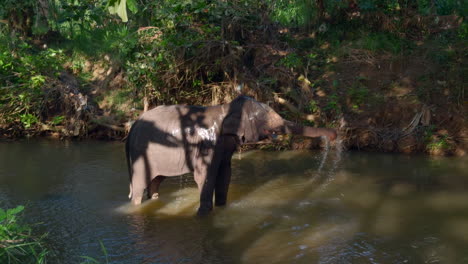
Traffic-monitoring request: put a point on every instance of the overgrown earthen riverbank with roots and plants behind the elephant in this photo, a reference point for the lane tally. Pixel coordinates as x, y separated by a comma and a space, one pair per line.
390, 81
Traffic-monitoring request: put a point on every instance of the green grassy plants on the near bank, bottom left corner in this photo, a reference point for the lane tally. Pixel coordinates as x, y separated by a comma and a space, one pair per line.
17, 244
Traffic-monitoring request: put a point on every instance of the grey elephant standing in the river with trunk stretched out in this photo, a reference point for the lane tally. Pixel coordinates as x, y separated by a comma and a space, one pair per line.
172, 140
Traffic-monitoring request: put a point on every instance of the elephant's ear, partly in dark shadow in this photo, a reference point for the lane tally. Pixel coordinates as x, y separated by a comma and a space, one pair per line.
240, 120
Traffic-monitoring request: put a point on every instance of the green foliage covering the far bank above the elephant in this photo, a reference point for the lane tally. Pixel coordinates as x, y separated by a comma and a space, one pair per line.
175, 51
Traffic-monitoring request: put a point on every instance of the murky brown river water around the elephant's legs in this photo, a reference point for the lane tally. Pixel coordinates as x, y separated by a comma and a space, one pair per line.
283, 207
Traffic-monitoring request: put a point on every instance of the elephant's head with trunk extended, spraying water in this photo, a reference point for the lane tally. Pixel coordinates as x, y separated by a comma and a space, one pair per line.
253, 121
